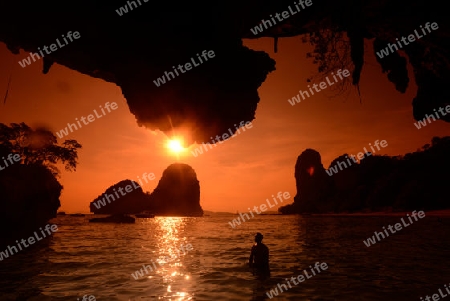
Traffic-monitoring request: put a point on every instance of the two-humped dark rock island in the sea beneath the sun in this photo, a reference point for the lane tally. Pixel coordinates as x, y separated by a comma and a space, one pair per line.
177, 194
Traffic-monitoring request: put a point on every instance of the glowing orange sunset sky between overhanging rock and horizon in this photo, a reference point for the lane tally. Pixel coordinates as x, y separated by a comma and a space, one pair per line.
241, 172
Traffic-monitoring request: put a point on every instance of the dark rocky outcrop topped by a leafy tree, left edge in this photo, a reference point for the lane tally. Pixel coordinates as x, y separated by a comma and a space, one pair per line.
29, 190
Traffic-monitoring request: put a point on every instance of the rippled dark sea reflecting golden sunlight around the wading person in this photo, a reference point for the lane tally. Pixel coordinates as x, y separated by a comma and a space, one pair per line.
98, 259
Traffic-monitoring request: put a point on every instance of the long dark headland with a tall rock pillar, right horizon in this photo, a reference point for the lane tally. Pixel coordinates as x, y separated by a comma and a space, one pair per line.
414, 181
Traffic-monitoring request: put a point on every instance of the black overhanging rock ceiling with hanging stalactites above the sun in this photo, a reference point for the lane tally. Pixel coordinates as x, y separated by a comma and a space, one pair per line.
210, 99
